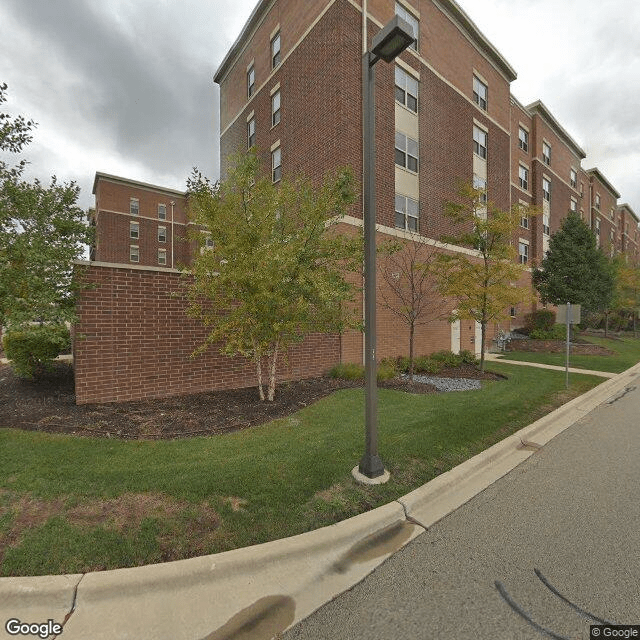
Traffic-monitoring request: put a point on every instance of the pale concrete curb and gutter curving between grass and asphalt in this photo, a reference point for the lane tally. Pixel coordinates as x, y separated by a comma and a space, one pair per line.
257, 592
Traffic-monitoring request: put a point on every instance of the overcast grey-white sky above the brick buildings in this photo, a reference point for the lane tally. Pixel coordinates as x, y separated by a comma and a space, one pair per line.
126, 86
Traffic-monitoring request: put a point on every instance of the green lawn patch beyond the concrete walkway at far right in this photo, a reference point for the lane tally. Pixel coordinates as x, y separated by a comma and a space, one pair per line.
627, 352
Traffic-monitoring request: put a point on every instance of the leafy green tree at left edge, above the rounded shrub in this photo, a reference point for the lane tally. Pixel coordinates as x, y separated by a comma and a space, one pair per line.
42, 231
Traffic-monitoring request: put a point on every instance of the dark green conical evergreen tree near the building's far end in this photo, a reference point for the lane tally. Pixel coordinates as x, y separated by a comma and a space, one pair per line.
575, 270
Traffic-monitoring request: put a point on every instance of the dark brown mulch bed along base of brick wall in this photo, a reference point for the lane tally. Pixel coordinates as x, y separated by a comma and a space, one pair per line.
48, 404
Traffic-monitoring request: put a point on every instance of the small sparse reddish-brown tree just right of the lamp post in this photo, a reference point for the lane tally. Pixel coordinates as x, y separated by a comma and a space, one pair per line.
411, 290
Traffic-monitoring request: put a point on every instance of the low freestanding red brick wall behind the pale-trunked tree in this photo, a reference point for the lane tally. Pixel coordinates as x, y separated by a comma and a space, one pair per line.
134, 341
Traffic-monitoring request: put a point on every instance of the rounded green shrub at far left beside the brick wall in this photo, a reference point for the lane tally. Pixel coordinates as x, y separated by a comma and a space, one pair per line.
32, 350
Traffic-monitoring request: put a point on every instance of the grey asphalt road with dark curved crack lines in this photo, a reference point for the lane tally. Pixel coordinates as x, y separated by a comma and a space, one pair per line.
530, 557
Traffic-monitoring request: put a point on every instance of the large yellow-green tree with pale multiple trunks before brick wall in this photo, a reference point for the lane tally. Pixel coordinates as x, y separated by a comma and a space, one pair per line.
275, 271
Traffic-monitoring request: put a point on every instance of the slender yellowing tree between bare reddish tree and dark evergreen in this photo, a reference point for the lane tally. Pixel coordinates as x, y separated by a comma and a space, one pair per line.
485, 285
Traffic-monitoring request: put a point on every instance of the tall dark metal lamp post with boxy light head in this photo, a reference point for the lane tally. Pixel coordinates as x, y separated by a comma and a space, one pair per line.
387, 44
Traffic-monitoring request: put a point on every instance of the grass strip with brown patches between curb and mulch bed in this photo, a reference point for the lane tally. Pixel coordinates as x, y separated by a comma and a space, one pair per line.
78, 504
